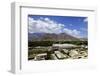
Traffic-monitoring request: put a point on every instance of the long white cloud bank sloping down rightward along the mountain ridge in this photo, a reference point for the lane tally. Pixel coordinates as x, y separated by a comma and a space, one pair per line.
46, 25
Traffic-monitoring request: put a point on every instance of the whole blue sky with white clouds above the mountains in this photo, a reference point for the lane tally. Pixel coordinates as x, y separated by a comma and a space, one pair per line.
72, 25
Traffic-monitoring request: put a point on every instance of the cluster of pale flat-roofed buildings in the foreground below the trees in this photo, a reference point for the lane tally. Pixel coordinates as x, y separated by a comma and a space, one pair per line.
63, 51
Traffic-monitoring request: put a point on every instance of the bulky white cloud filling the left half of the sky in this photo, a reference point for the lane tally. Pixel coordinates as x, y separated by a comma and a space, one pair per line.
44, 25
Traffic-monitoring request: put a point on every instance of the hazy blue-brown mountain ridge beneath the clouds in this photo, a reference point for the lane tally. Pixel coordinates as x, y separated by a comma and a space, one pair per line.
51, 37
